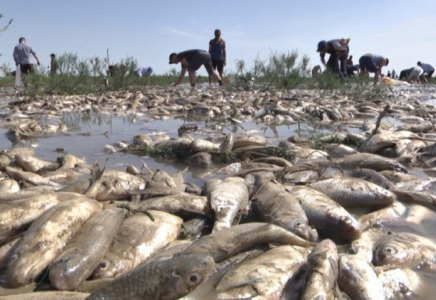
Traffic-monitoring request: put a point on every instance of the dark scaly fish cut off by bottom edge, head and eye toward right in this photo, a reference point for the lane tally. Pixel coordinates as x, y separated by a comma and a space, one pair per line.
183, 273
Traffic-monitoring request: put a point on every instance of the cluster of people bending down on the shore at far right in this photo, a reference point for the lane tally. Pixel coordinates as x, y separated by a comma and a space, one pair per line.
341, 63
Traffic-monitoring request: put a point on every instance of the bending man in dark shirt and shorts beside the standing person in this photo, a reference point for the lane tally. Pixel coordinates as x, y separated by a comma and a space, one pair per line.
192, 60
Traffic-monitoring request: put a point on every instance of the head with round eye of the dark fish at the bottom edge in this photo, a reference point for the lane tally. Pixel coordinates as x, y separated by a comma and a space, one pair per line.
189, 271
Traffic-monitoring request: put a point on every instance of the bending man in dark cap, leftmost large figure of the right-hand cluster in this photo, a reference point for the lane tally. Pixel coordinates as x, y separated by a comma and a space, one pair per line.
338, 50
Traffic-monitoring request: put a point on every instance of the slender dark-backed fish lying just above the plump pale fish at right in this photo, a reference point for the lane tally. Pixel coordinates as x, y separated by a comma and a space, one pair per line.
369, 161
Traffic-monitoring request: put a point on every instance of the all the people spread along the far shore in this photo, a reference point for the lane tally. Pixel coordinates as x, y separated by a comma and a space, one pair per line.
339, 62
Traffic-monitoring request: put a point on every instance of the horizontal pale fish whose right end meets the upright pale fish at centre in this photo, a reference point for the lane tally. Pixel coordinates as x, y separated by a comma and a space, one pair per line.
183, 205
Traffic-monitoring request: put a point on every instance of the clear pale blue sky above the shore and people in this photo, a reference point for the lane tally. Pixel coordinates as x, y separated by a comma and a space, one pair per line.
402, 30
